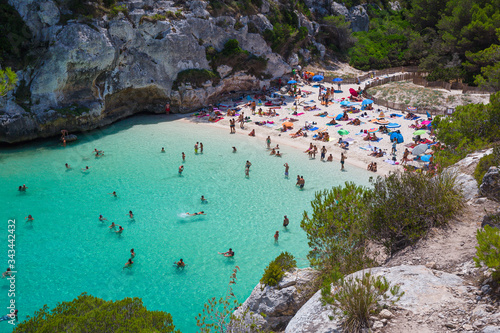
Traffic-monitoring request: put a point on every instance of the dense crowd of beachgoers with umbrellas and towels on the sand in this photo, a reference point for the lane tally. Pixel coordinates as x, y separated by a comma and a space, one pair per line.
331, 120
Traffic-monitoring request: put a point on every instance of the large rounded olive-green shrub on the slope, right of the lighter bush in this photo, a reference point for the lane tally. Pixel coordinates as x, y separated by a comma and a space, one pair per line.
405, 206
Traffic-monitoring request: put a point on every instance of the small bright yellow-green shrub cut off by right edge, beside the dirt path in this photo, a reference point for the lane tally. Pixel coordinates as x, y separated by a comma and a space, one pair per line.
488, 249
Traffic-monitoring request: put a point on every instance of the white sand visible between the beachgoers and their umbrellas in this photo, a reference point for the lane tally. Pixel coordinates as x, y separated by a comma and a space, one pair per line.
355, 155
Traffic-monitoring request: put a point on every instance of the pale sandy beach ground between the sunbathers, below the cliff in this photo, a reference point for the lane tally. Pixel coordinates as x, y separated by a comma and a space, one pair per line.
358, 152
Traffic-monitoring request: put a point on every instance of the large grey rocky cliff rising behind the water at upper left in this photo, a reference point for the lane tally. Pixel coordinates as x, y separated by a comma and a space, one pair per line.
88, 72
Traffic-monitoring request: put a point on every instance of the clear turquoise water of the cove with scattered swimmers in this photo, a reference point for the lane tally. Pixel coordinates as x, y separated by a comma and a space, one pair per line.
66, 250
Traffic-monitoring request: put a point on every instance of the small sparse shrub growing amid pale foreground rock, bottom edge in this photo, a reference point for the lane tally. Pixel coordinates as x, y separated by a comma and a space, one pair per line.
360, 297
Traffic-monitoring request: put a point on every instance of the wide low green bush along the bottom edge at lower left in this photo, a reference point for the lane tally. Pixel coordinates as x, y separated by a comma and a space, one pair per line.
94, 315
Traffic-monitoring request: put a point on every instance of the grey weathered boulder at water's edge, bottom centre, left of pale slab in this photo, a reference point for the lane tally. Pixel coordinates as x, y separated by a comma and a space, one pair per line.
278, 304
